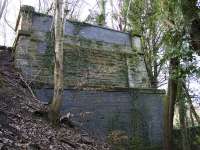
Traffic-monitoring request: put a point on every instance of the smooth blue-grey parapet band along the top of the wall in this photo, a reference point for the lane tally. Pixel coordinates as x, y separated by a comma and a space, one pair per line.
88, 31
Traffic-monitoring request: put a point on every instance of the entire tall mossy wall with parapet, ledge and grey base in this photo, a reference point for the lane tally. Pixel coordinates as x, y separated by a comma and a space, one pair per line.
104, 73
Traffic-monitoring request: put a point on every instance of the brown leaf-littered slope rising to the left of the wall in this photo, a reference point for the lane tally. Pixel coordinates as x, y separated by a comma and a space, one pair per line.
22, 129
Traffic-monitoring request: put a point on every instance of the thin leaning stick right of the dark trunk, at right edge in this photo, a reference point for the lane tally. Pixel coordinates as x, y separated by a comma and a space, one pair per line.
191, 105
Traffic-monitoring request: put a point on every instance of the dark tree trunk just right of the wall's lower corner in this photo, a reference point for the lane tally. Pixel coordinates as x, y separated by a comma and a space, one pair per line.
170, 102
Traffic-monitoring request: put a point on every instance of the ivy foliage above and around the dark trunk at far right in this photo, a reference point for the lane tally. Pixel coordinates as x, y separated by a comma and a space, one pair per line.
179, 15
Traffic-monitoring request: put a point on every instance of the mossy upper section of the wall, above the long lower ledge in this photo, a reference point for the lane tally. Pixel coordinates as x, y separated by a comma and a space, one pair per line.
94, 57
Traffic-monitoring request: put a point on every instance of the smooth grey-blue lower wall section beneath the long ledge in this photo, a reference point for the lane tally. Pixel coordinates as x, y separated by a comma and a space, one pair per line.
102, 112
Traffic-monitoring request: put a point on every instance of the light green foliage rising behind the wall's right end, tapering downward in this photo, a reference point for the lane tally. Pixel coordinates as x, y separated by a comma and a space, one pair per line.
146, 18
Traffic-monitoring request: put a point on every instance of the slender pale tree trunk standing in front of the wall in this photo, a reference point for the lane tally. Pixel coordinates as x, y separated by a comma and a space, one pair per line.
58, 67
